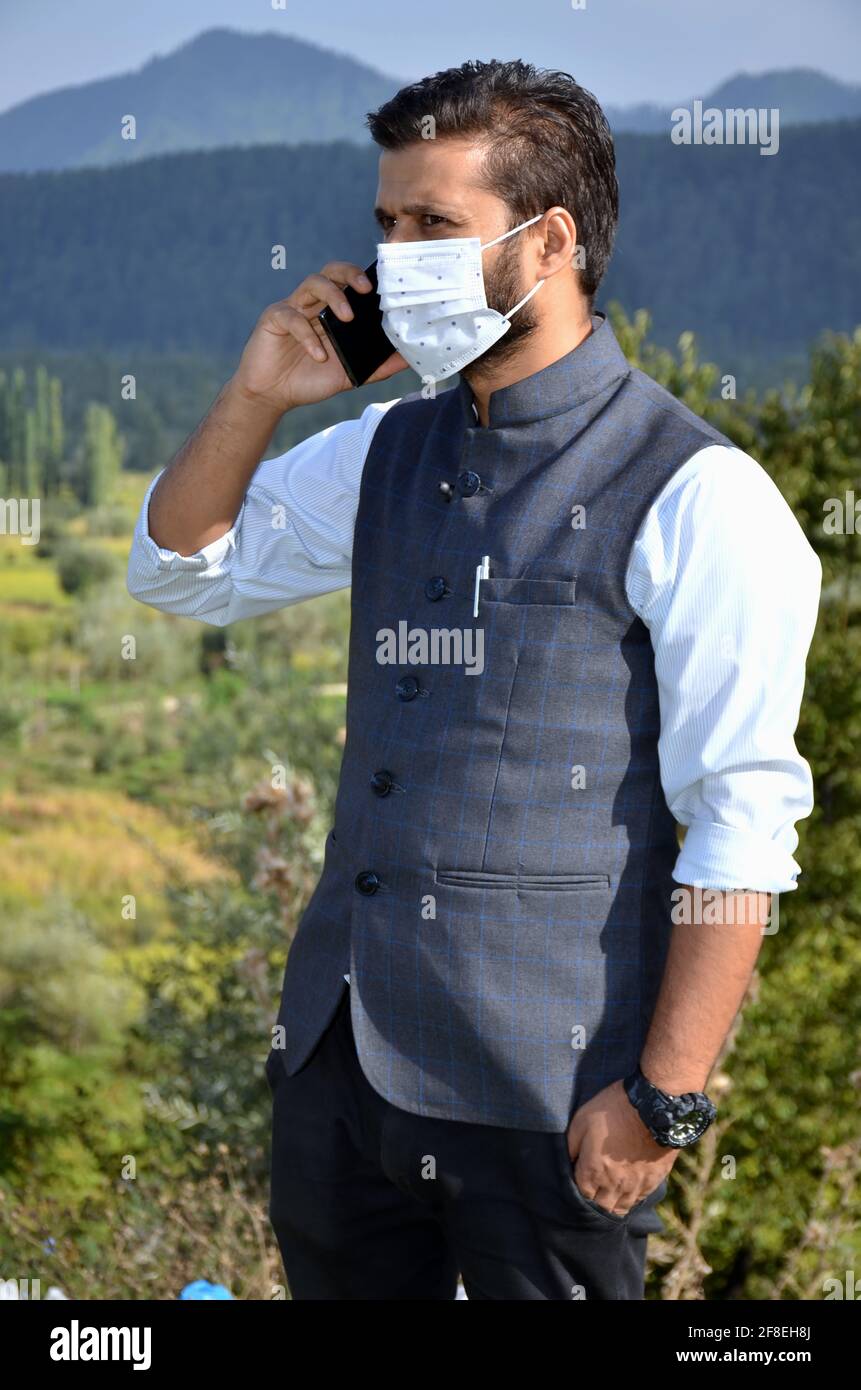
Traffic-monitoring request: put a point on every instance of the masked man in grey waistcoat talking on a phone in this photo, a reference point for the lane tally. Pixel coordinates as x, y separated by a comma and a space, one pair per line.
579, 616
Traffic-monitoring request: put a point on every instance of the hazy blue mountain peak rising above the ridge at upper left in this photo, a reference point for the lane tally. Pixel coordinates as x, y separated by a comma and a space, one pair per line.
220, 90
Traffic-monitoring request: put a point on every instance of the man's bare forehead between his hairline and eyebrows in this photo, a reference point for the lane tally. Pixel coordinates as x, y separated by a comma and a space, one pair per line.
433, 172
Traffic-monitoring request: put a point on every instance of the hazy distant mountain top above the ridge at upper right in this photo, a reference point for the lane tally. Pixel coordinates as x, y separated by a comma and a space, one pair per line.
802, 97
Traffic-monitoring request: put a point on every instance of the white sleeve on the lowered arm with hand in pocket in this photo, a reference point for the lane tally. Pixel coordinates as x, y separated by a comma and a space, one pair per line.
728, 586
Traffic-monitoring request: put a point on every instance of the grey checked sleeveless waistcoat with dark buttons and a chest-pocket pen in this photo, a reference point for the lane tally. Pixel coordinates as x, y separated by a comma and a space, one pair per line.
497, 881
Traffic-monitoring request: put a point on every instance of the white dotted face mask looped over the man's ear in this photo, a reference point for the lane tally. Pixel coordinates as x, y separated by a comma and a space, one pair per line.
433, 301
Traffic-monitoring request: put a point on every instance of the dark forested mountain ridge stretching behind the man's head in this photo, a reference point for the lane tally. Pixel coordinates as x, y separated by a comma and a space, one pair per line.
757, 256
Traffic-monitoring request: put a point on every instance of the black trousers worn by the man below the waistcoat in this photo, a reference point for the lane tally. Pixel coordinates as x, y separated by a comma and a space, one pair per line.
373, 1203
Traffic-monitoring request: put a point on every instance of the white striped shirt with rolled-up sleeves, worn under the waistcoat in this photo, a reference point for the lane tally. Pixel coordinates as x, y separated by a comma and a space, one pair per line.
720, 573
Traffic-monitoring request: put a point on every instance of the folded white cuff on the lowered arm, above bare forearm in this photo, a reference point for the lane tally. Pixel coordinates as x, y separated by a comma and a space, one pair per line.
725, 858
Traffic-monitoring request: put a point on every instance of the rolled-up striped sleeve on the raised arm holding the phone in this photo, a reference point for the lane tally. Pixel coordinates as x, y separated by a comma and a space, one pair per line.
290, 541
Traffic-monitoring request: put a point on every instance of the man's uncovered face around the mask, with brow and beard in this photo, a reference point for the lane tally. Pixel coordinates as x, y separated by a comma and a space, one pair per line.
430, 191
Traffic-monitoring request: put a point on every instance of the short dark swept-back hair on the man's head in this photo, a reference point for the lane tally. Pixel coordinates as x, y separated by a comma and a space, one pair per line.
549, 144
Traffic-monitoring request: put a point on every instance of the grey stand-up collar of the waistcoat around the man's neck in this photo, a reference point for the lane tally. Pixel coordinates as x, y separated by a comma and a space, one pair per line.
563, 386
